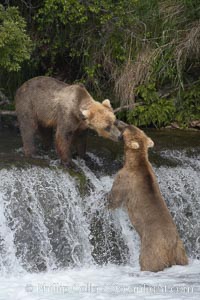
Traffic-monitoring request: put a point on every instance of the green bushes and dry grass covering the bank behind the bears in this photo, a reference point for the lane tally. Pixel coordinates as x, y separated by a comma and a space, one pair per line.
133, 51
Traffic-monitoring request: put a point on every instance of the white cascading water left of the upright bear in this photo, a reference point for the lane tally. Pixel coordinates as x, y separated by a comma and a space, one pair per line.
46, 224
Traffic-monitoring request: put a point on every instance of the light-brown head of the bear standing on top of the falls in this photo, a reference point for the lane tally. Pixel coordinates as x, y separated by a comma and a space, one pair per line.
100, 117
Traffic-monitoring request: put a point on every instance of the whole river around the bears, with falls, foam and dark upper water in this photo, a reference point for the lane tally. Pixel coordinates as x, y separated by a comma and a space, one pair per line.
58, 240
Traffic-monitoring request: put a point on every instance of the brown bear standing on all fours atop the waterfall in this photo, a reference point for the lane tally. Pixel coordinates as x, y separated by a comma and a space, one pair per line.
43, 103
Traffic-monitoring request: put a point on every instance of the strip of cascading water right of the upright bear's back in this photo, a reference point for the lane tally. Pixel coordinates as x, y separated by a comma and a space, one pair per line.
181, 188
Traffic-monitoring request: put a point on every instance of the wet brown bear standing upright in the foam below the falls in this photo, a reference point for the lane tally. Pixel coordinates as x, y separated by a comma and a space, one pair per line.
136, 187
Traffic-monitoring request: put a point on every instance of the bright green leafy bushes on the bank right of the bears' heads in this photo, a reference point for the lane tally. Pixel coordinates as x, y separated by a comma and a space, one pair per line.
158, 111
